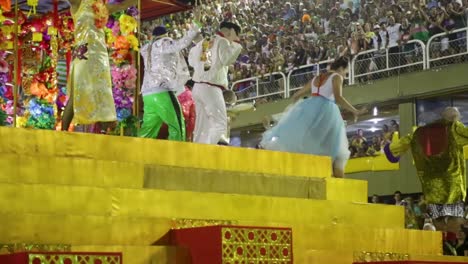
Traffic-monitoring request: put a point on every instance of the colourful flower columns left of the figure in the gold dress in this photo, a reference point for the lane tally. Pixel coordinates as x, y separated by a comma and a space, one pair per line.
39, 98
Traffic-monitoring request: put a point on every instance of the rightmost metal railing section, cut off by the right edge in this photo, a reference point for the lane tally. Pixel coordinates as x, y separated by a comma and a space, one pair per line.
443, 49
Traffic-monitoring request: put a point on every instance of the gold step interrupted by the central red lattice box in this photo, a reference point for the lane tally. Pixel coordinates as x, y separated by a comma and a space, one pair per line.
133, 231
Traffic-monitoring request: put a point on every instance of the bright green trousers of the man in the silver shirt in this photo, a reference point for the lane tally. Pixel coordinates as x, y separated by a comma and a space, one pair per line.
162, 108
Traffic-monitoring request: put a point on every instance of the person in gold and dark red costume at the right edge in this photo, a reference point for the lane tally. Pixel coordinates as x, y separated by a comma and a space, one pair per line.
437, 150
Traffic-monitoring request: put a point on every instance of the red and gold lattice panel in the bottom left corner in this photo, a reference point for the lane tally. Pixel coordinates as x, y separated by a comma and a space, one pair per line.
61, 258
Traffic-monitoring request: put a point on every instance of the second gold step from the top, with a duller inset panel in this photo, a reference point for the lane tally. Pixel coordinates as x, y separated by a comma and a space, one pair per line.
103, 173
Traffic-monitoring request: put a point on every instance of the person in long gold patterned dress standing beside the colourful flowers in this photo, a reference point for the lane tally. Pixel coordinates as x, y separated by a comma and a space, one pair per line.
89, 81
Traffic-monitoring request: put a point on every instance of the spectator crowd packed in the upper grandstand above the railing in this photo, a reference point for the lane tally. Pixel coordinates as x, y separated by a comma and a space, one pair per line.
279, 35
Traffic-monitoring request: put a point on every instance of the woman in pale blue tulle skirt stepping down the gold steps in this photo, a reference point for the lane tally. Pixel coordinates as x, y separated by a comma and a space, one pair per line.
314, 125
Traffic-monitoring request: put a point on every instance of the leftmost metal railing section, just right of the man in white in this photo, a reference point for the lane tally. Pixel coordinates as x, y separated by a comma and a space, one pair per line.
270, 87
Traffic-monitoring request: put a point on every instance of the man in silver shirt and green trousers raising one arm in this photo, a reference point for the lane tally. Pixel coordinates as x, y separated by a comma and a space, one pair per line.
165, 72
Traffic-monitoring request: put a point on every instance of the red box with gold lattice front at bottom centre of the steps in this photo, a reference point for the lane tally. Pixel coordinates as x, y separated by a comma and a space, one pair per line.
236, 244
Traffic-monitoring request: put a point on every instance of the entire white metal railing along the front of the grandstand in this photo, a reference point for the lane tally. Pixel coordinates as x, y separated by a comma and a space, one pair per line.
414, 55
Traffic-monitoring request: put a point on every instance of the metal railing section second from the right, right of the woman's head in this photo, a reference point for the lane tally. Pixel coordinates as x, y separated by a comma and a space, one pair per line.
376, 64
